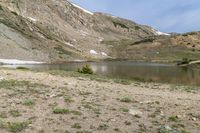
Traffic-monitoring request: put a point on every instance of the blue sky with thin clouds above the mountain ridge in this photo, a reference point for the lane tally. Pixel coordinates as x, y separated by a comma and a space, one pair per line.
164, 15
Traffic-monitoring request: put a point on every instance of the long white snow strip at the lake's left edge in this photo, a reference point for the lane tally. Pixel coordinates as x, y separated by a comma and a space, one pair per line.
18, 62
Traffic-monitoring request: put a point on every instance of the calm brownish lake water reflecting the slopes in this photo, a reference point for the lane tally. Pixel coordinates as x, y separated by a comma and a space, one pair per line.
165, 73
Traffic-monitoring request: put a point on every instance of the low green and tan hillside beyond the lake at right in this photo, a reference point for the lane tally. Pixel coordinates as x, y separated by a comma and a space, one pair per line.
161, 48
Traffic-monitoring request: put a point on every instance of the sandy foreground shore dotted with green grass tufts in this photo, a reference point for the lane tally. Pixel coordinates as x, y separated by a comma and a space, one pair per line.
59, 102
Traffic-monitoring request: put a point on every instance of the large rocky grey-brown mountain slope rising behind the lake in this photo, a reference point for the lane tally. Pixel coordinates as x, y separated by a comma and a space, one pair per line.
57, 30
